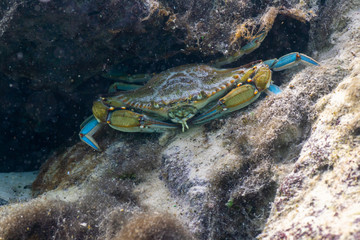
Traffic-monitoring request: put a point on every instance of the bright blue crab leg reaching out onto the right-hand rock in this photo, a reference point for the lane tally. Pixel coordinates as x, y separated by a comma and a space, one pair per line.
290, 60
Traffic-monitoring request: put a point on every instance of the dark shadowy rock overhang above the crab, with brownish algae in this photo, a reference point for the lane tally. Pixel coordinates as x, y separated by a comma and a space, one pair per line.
95, 34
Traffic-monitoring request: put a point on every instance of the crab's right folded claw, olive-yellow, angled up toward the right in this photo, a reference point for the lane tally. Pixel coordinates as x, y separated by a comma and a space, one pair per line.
236, 99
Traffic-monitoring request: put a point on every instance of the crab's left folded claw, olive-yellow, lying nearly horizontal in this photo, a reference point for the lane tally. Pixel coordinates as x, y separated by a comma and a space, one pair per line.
129, 121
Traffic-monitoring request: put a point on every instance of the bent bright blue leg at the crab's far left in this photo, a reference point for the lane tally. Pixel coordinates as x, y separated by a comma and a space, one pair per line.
88, 128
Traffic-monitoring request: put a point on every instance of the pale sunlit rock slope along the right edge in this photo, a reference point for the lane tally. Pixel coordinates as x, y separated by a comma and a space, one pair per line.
319, 197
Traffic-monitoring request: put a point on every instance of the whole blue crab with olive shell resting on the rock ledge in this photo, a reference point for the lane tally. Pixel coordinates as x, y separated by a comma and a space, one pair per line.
189, 94
